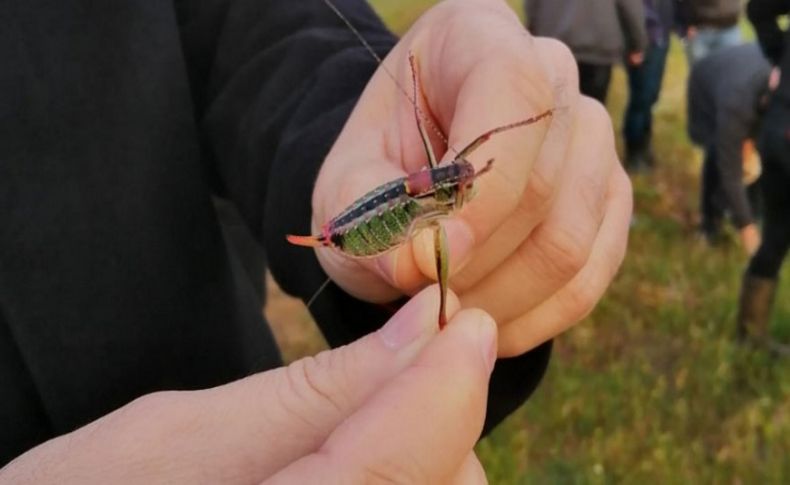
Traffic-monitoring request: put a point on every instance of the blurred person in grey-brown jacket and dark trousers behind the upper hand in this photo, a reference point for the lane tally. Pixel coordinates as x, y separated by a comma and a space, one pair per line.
600, 33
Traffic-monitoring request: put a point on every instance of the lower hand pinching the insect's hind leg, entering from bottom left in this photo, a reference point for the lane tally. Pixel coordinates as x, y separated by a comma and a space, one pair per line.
400, 405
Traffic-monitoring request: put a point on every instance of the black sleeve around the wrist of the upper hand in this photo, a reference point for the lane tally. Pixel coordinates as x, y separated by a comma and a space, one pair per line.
273, 83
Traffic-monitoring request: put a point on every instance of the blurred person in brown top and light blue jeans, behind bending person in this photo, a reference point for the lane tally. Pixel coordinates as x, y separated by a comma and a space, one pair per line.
708, 25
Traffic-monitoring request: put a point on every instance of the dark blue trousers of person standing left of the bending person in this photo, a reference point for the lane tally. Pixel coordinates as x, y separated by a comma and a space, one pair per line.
644, 84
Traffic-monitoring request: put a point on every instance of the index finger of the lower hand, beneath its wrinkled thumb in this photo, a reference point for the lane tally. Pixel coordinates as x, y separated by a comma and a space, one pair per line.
420, 427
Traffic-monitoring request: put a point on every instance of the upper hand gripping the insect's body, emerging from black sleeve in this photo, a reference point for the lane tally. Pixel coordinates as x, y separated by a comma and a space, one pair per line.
548, 229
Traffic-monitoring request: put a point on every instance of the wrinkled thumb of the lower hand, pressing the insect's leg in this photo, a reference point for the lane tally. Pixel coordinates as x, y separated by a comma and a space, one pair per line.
269, 420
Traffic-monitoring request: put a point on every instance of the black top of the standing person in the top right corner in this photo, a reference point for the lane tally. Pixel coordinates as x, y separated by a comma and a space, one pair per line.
764, 14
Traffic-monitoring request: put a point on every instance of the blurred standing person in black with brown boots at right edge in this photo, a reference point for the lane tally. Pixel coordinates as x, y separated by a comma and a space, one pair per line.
760, 280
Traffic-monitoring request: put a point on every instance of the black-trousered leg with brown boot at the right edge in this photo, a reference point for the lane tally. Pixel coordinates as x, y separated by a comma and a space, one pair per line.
760, 281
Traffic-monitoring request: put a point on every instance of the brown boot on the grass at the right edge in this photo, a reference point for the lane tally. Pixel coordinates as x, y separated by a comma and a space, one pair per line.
754, 313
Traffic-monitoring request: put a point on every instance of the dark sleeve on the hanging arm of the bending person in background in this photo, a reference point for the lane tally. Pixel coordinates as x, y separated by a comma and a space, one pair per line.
733, 127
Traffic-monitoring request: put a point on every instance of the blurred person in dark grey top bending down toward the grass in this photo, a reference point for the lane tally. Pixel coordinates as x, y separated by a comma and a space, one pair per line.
726, 96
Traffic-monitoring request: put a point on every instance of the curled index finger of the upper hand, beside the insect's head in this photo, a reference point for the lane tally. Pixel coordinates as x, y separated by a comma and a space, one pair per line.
491, 76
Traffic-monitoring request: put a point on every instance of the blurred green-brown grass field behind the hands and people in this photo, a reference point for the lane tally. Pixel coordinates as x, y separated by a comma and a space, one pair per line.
650, 387
